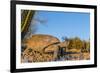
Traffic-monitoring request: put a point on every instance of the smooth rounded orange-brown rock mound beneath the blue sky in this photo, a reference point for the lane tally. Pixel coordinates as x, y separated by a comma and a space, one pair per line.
40, 41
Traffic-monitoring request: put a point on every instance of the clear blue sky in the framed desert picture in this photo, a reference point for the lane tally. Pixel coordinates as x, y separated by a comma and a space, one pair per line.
64, 24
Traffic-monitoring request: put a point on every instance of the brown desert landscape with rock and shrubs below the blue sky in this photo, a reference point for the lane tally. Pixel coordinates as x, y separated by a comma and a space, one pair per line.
45, 48
